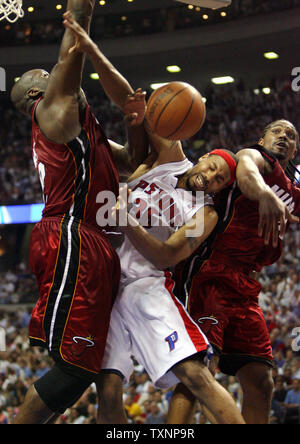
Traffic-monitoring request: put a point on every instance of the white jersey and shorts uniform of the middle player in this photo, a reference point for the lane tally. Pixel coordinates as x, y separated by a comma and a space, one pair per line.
147, 320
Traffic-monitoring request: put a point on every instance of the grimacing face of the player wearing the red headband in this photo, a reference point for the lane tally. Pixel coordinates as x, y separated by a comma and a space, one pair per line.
210, 175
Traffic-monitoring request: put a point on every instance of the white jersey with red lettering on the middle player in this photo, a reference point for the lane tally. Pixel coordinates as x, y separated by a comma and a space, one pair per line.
159, 205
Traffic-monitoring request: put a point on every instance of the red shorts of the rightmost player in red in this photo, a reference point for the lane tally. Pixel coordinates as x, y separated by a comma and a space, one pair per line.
224, 303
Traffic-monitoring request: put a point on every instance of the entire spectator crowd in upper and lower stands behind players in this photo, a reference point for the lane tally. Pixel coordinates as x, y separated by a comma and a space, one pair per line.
236, 116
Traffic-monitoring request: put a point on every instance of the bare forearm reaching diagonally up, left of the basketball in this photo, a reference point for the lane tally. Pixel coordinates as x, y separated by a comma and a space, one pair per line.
114, 84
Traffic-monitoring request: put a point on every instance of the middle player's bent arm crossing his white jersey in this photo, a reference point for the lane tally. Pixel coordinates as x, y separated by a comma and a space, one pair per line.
178, 247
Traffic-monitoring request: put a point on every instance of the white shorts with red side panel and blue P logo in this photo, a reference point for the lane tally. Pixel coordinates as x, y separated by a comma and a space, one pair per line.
149, 323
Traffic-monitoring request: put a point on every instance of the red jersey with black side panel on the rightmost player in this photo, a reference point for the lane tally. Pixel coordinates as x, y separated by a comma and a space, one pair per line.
235, 241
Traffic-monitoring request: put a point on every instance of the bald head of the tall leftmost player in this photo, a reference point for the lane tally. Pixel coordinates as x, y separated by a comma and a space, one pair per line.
28, 89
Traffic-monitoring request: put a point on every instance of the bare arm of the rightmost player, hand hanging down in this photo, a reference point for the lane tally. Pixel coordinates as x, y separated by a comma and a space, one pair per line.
273, 213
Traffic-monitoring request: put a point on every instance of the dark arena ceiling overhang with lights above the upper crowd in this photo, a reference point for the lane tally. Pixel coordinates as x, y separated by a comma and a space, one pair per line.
234, 48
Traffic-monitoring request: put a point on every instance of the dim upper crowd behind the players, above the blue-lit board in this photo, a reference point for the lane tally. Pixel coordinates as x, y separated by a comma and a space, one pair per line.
236, 117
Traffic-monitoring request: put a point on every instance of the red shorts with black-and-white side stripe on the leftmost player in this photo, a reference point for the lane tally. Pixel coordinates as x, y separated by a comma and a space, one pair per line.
78, 275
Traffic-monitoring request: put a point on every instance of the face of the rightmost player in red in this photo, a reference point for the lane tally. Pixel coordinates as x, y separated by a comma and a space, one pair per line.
281, 140
